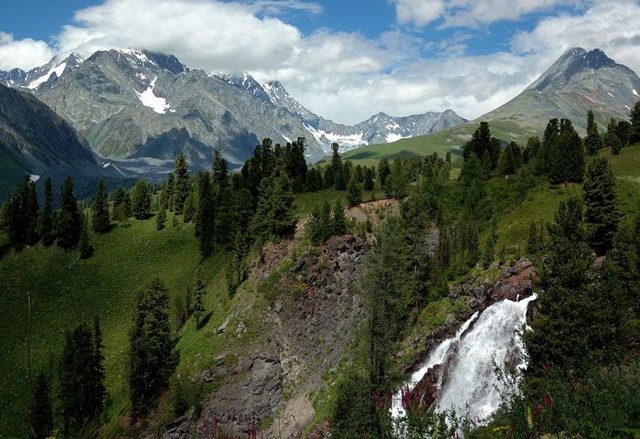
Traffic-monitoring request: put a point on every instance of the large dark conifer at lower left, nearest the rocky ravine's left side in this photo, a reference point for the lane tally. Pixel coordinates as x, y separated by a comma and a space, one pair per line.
152, 356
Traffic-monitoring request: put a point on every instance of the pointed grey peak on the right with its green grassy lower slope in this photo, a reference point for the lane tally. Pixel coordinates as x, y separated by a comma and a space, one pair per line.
577, 82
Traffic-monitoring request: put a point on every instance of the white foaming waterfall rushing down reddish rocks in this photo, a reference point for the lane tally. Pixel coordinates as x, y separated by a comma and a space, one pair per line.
468, 382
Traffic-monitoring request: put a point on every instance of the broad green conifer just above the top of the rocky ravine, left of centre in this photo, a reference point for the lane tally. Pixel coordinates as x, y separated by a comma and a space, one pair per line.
274, 215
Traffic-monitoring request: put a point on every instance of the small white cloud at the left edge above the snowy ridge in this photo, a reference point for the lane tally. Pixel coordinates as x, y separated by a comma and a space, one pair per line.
23, 54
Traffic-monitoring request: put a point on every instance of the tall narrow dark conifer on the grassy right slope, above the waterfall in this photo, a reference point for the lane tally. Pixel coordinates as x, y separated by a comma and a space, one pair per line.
601, 213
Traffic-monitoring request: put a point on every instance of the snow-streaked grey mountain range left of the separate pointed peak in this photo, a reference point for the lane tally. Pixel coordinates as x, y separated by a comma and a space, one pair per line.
139, 108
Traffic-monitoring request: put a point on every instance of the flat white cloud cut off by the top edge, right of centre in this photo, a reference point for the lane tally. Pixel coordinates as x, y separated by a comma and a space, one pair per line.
469, 12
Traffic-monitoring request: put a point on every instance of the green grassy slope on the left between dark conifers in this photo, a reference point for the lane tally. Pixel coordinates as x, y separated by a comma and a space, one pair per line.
66, 291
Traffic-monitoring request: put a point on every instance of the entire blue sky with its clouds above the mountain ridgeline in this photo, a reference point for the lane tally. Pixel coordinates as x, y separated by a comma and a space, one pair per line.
343, 59
